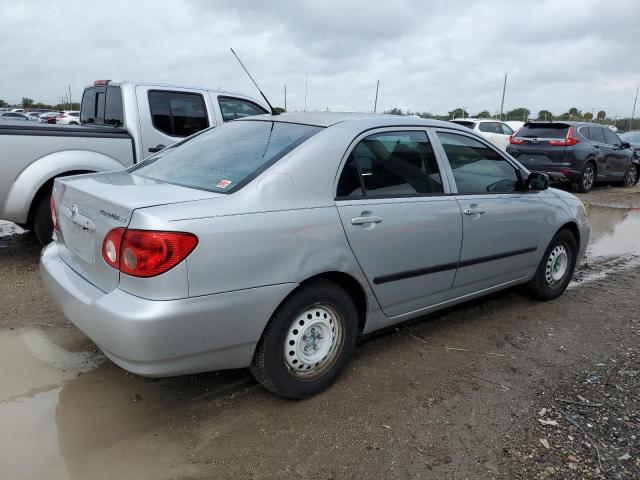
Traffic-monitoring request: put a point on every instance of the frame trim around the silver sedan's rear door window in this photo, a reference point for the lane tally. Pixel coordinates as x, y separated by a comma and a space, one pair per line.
444, 174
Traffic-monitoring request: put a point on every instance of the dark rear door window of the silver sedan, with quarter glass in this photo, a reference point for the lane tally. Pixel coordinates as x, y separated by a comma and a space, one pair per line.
391, 164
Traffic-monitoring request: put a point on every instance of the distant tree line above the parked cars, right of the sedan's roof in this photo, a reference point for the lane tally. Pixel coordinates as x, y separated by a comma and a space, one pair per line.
524, 114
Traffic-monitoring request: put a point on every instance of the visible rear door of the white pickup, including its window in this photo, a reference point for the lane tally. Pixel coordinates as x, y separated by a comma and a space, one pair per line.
169, 115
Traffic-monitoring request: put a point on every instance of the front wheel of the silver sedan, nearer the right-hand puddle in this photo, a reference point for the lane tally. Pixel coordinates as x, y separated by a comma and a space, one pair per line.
544, 286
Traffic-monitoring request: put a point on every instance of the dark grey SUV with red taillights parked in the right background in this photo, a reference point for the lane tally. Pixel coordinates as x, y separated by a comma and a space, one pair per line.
576, 152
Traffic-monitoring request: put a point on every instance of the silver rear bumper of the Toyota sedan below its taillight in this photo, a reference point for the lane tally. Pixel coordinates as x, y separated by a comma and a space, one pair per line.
168, 337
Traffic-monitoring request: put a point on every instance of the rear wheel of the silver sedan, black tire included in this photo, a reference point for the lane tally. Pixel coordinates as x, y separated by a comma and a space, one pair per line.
270, 367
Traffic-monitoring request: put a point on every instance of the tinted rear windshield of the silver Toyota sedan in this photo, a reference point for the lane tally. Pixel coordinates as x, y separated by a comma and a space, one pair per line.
224, 158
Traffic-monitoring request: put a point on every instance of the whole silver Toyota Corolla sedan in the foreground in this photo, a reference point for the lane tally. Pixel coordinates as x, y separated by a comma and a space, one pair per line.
276, 242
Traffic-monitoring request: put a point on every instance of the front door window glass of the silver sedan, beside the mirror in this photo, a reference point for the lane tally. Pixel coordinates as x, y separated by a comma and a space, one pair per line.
476, 167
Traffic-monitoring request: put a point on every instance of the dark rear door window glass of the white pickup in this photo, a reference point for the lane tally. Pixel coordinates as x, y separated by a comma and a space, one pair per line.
178, 114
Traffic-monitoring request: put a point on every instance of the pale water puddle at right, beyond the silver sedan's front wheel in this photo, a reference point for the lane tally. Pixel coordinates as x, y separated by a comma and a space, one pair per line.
614, 244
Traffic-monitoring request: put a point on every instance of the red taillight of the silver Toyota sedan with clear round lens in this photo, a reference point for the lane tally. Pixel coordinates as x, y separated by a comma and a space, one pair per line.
146, 253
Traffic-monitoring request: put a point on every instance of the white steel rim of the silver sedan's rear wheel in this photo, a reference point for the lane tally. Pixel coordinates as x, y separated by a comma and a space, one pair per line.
313, 342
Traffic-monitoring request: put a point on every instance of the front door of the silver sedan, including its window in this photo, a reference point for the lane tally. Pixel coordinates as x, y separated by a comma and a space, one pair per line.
503, 228
